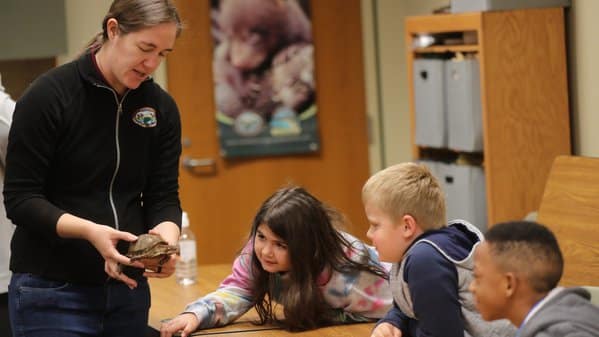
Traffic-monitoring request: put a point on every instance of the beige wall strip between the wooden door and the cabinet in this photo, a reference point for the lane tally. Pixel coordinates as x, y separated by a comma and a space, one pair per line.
386, 77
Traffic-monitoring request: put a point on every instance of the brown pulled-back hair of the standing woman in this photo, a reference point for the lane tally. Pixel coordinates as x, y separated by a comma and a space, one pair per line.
134, 15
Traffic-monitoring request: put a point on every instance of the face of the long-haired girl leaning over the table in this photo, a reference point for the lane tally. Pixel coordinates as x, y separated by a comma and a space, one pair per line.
271, 250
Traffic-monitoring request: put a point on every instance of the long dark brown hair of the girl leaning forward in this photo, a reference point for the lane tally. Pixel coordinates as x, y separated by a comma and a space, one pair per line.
314, 245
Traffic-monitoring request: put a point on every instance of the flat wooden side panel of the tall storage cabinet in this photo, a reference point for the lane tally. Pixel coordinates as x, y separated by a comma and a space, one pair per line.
526, 119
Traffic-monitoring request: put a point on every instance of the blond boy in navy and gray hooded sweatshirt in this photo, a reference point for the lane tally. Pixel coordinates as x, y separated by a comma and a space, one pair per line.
405, 206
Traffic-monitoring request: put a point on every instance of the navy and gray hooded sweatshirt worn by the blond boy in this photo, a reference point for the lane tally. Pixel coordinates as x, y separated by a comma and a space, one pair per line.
430, 287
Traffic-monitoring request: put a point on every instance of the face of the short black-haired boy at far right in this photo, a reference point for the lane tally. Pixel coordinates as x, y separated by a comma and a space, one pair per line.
488, 285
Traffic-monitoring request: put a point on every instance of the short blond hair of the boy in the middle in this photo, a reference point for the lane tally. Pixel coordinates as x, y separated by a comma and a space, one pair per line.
407, 188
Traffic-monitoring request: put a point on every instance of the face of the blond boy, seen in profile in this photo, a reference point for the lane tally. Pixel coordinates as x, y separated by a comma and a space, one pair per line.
387, 235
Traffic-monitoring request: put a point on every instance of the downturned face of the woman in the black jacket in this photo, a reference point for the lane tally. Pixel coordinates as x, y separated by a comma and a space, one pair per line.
132, 57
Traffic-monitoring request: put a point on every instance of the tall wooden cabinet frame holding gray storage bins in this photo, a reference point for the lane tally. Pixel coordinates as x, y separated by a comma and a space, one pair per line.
524, 97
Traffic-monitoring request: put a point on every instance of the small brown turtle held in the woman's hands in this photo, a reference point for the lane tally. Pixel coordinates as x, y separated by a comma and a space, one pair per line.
151, 250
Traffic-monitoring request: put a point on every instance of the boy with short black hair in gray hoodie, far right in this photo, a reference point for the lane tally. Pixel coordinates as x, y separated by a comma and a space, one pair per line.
516, 273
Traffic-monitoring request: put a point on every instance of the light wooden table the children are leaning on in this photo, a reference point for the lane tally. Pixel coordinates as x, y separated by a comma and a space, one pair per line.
169, 299
